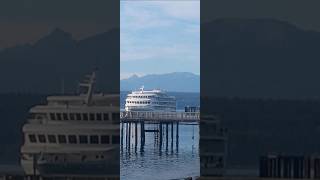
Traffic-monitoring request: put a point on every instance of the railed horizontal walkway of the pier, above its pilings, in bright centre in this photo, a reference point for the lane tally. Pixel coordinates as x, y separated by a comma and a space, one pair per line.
159, 116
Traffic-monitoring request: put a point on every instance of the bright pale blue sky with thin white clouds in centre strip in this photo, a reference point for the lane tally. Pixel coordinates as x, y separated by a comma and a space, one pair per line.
159, 37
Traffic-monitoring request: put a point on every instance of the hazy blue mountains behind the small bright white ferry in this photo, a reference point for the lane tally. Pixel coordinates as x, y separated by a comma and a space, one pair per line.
174, 82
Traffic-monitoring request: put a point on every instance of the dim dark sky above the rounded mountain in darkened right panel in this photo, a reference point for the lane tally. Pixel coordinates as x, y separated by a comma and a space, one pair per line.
302, 13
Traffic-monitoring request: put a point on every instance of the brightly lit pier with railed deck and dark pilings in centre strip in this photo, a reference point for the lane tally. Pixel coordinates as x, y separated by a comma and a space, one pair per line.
163, 126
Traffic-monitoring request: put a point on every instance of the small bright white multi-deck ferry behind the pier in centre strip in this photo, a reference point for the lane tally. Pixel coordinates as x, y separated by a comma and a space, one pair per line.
152, 100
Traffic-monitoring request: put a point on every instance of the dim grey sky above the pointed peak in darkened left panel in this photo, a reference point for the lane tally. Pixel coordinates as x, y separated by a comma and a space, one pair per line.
24, 21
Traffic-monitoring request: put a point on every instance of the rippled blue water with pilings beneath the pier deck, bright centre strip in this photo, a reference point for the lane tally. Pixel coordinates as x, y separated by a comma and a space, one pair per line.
169, 150
